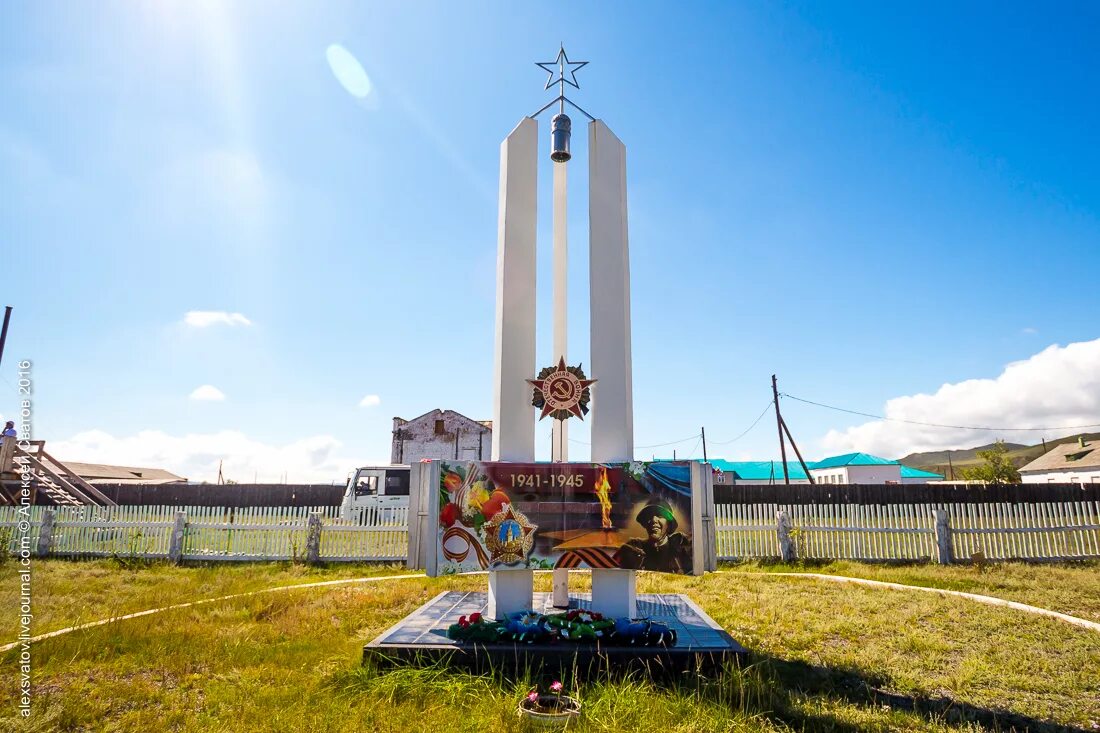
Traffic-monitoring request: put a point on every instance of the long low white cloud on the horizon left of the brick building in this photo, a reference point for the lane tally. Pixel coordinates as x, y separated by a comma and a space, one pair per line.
312, 460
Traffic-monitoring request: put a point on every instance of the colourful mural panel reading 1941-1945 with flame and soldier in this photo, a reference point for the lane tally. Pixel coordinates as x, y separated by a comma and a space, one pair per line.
502, 517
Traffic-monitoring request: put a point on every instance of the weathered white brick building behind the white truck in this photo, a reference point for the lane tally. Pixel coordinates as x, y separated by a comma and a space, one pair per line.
441, 434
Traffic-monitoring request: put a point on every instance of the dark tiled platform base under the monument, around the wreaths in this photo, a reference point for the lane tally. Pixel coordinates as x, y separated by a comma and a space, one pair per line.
421, 639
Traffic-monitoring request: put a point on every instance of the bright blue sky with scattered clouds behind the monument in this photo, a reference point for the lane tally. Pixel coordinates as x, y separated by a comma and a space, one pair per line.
871, 202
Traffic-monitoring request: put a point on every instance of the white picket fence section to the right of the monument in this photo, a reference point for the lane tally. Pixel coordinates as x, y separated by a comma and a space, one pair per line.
1065, 531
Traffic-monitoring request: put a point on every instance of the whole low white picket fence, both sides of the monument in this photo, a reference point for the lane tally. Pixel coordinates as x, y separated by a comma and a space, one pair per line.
943, 533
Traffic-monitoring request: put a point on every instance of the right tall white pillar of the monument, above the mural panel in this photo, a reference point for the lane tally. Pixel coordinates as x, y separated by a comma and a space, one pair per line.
610, 283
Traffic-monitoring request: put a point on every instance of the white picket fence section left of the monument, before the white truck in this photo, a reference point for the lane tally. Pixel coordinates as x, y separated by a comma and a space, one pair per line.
212, 533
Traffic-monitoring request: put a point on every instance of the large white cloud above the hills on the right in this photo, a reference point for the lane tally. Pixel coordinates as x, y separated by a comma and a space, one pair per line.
1058, 387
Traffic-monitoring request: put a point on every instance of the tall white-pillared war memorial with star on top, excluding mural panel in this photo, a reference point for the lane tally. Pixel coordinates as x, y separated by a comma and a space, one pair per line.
610, 332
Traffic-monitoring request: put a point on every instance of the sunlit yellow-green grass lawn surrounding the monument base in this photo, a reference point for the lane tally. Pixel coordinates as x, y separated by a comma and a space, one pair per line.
826, 657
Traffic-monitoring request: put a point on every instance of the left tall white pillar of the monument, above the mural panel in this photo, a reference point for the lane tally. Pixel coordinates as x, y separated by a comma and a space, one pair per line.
513, 415
